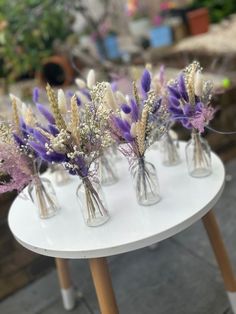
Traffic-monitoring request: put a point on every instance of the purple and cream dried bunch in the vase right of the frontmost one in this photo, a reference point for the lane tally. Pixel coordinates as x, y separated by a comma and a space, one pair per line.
139, 118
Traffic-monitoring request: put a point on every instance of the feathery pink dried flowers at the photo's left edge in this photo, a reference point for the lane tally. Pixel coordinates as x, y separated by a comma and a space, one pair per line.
14, 171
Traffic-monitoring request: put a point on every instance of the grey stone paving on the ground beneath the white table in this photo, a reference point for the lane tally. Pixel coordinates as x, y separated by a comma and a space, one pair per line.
179, 276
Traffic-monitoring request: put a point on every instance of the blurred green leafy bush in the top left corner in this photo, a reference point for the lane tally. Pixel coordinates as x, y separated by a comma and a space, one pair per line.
28, 30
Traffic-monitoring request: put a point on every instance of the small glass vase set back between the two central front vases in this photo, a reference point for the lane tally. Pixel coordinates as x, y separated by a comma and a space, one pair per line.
107, 169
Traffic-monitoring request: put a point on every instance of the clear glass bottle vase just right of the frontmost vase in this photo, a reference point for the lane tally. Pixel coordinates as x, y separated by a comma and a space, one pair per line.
145, 182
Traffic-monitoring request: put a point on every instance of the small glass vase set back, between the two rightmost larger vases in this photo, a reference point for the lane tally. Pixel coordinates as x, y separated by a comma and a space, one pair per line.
169, 151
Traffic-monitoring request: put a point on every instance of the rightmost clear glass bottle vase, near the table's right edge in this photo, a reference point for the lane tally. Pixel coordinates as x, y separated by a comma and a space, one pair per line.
198, 156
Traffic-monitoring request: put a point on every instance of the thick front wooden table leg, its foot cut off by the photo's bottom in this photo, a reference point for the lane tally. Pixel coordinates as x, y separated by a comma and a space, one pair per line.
103, 285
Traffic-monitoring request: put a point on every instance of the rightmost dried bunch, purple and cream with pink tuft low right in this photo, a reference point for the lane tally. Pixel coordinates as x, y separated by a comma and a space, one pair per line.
189, 99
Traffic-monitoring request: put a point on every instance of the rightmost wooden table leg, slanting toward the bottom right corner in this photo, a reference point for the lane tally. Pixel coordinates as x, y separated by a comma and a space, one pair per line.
222, 257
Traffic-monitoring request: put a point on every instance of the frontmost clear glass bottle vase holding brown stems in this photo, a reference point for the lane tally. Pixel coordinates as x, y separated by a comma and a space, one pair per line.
92, 202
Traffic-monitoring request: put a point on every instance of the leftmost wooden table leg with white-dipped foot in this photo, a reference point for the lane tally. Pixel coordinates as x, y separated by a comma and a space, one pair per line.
67, 289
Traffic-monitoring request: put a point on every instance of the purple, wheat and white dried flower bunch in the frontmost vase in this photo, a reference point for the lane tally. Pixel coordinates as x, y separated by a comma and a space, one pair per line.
75, 144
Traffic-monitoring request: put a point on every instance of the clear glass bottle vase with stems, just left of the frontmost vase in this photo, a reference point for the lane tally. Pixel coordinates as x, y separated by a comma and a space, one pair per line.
42, 194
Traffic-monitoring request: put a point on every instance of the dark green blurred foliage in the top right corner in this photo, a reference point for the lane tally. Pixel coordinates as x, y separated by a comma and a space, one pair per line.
218, 9
